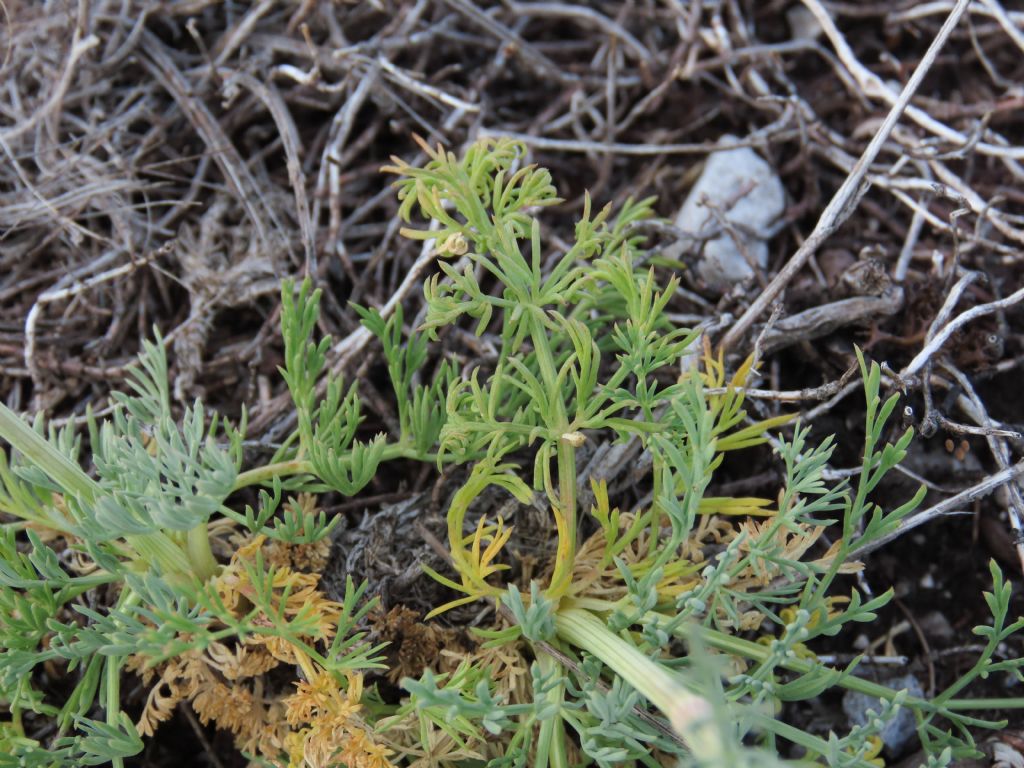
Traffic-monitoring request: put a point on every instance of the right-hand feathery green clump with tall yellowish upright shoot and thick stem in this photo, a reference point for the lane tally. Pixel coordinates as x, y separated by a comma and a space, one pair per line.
586, 351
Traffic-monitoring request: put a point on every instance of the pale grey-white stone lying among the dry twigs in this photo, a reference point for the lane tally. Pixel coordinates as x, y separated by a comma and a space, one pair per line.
750, 196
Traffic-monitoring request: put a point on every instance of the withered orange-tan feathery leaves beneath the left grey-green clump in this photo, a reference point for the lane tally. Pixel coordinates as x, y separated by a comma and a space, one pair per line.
313, 727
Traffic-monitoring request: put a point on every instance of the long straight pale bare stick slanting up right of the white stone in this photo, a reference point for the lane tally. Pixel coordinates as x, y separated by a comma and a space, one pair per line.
846, 198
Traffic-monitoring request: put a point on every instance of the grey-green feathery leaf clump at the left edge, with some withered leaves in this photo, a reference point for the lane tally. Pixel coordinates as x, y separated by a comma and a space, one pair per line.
139, 531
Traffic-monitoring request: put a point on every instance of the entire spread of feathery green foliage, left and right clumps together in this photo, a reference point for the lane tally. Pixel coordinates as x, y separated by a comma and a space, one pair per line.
630, 615
